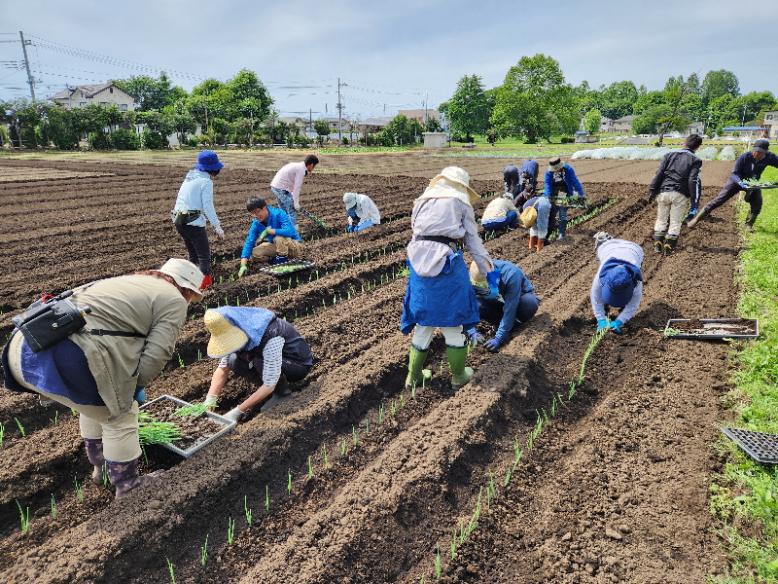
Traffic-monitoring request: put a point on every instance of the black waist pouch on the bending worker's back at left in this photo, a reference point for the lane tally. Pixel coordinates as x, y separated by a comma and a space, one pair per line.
49, 321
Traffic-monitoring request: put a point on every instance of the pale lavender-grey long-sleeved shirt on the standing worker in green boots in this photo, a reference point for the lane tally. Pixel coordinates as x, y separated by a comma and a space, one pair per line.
447, 217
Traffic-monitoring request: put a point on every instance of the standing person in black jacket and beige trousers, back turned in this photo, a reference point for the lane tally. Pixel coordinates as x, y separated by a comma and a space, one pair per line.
676, 187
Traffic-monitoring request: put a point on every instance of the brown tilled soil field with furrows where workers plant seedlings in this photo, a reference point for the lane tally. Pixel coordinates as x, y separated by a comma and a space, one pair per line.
355, 479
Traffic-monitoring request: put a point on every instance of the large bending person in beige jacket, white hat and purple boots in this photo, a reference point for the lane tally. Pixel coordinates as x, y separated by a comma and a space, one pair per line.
101, 370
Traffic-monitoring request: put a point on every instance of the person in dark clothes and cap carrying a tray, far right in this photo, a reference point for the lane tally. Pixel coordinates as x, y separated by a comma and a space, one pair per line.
749, 165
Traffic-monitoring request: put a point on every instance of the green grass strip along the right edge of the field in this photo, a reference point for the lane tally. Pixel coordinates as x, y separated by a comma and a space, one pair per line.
745, 495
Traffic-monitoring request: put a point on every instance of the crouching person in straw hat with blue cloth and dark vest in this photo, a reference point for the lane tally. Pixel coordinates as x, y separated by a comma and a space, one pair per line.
257, 345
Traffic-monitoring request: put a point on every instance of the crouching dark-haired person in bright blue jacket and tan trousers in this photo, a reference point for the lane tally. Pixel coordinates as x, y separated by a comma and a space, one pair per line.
274, 231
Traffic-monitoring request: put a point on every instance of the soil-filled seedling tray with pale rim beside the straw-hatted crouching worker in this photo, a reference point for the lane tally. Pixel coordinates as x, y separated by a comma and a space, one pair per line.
197, 431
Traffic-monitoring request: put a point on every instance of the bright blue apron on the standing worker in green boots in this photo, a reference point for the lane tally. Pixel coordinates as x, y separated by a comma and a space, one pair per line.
443, 300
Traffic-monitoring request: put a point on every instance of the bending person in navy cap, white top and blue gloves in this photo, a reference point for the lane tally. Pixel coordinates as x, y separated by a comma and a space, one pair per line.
618, 282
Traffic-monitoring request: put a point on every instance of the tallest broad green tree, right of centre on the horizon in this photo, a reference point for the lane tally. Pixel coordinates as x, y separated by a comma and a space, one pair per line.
534, 101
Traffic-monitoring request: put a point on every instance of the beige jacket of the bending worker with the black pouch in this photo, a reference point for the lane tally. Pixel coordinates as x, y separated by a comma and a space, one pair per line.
142, 304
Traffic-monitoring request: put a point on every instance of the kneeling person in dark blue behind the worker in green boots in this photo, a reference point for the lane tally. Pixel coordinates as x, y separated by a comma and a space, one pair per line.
514, 303
